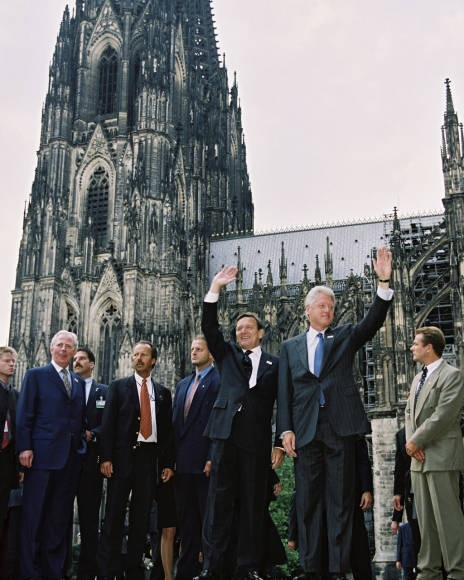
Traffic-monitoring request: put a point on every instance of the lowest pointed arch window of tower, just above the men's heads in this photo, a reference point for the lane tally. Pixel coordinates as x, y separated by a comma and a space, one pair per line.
110, 339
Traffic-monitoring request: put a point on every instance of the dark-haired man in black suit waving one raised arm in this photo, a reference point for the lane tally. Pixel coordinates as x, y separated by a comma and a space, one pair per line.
240, 426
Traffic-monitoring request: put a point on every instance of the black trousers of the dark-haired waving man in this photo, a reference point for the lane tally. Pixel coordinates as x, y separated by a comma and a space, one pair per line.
237, 492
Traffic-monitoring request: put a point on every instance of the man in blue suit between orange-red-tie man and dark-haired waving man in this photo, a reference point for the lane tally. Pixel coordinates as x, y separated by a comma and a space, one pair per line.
191, 409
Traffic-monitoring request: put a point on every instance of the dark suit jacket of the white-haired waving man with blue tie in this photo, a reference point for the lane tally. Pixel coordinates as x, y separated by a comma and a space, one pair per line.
299, 389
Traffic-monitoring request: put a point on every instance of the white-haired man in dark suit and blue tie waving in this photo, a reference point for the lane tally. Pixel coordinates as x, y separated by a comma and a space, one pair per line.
319, 413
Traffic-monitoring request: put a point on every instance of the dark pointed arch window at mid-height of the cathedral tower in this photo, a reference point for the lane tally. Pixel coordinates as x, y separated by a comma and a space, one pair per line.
97, 205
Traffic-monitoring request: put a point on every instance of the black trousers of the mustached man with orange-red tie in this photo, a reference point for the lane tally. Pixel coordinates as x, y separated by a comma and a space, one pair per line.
142, 482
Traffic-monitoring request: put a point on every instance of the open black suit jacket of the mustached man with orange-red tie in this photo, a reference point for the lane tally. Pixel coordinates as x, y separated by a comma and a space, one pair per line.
121, 425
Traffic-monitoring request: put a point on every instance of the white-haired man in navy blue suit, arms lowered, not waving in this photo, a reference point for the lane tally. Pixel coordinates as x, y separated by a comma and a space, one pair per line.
49, 431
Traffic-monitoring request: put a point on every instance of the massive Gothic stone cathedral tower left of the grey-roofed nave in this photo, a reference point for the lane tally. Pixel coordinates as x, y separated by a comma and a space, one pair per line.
141, 159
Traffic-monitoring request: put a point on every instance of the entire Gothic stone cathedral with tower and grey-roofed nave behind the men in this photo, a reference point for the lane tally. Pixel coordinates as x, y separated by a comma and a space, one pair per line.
141, 193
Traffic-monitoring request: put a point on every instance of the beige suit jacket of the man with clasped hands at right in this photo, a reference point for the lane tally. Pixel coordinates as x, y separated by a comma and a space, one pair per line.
433, 422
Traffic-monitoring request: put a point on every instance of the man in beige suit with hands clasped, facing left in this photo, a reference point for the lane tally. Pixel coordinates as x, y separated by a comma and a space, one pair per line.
434, 442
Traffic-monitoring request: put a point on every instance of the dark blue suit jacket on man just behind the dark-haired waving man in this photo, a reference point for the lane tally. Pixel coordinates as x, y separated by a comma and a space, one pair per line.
191, 446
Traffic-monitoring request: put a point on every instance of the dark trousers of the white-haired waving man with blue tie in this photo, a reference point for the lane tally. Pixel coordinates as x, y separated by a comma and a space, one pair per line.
324, 475
